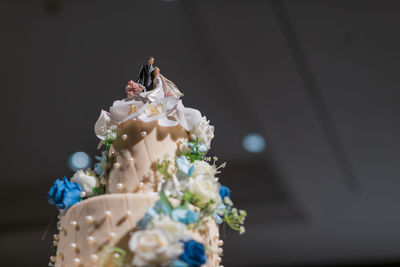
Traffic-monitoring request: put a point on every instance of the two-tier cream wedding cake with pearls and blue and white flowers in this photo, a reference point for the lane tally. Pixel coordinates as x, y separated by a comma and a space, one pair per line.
153, 198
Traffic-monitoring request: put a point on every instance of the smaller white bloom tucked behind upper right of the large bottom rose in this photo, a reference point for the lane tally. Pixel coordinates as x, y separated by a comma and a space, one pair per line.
175, 230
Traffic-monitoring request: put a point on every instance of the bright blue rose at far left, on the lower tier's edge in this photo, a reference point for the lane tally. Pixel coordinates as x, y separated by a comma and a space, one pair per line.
64, 193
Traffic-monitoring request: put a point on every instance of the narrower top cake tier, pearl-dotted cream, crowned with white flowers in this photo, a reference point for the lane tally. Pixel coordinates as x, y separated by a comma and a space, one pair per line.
140, 132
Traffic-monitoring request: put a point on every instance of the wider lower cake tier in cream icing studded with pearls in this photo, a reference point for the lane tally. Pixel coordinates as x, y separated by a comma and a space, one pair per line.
92, 226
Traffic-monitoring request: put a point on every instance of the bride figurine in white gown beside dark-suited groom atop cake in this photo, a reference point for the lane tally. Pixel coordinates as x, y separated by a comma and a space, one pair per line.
161, 87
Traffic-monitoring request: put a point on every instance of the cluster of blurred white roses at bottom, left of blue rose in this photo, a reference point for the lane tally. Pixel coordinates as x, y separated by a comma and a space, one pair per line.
159, 244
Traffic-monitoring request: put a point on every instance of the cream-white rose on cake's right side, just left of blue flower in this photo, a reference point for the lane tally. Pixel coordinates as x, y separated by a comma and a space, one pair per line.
205, 187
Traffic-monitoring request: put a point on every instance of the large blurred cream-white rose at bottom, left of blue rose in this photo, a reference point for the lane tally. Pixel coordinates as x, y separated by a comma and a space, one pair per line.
153, 248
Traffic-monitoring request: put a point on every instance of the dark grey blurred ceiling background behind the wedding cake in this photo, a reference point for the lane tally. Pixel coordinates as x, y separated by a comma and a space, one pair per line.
319, 80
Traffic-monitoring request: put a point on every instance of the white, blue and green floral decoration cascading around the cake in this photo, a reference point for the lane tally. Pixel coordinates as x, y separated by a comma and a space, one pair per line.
190, 194
